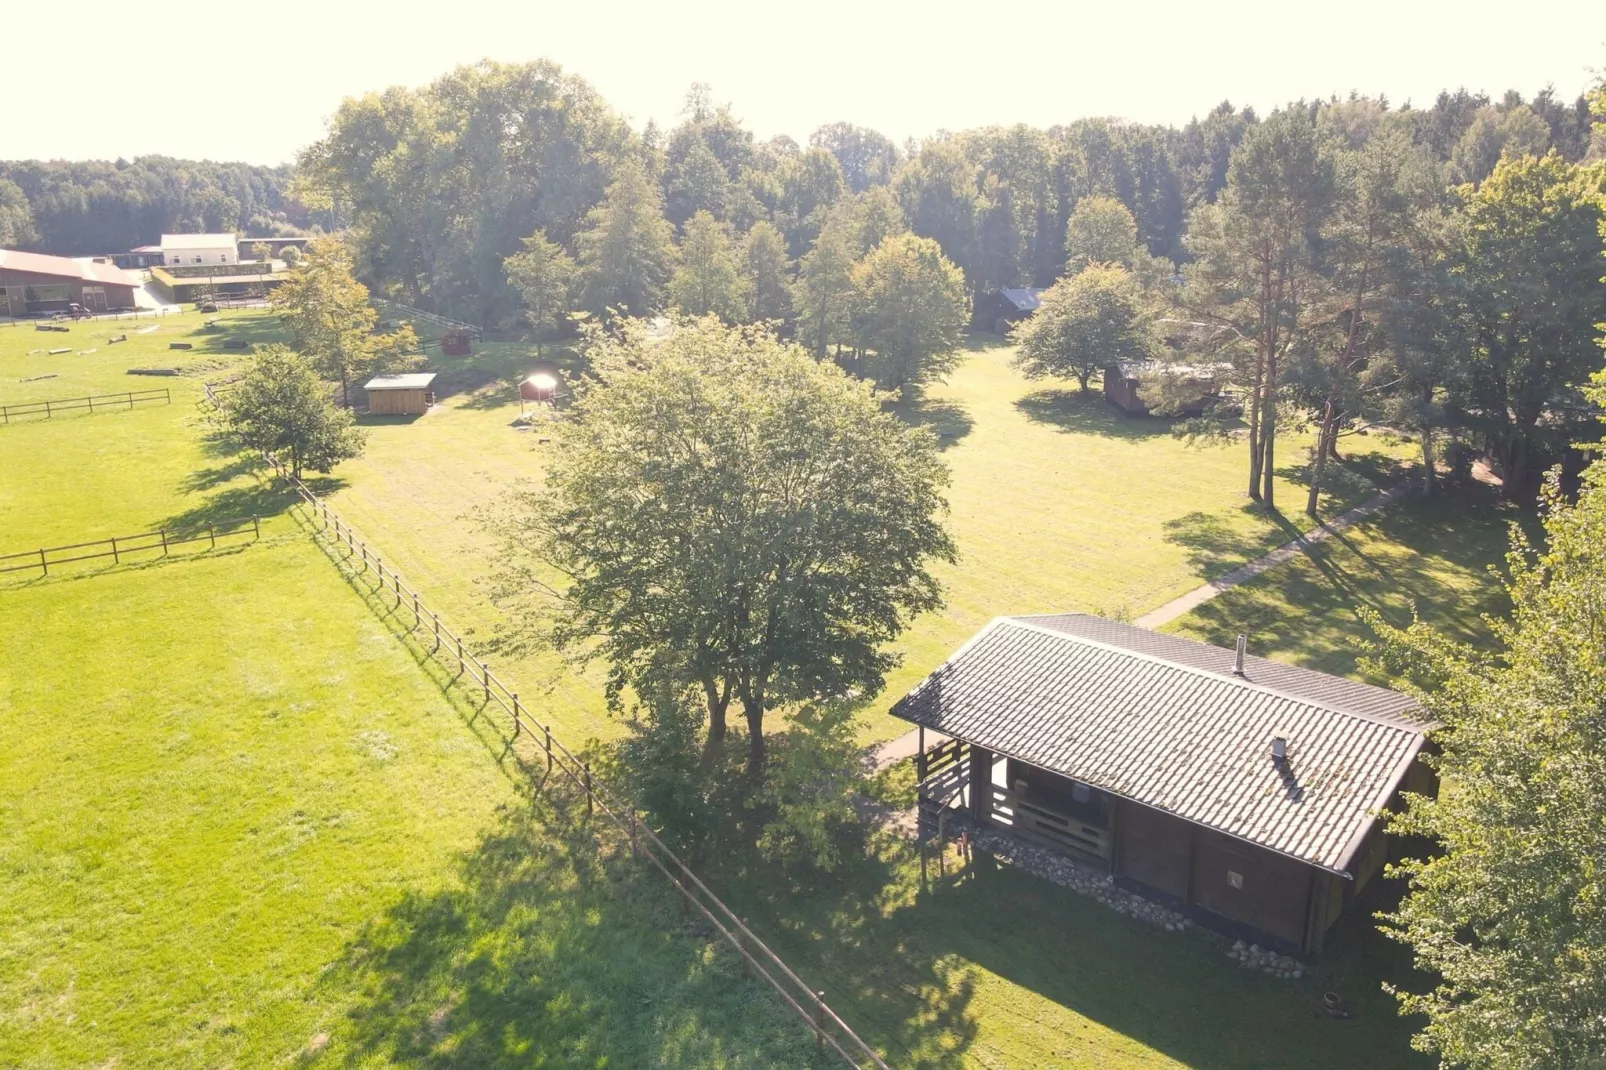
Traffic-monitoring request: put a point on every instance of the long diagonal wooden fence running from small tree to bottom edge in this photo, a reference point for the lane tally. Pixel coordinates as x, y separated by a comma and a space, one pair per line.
449, 648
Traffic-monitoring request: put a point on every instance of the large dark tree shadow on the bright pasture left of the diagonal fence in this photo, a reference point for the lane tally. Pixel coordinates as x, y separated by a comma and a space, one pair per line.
553, 950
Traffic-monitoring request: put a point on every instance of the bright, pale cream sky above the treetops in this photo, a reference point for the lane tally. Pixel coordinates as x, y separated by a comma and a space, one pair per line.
91, 80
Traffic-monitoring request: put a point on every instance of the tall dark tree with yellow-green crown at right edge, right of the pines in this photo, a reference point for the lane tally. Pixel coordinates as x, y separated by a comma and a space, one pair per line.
1533, 271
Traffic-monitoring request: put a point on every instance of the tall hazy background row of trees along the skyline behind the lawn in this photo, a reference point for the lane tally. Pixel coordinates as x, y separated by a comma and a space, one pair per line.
444, 182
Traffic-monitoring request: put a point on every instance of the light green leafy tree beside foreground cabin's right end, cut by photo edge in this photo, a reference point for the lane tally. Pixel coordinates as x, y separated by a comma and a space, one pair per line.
1510, 915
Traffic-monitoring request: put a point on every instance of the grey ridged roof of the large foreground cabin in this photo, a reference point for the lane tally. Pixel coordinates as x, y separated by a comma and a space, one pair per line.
1152, 721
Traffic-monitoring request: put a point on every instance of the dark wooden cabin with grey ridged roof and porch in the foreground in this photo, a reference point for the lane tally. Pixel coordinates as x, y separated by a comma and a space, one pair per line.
1239, 791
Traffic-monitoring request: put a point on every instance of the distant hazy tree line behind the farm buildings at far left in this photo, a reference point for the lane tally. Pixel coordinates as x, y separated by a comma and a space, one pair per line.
81, 208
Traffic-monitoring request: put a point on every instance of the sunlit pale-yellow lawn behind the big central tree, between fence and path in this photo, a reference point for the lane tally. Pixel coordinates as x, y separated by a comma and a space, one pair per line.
1059, 504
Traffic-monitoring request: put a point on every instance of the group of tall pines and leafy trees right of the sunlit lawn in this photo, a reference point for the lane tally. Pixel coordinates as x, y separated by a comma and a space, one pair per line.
1343, 277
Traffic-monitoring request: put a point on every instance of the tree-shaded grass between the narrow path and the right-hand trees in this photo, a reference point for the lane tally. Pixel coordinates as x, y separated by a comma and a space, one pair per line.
1425, 555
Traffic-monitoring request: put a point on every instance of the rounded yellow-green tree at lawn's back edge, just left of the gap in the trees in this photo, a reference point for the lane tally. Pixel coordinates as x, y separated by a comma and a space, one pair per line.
910, 311
